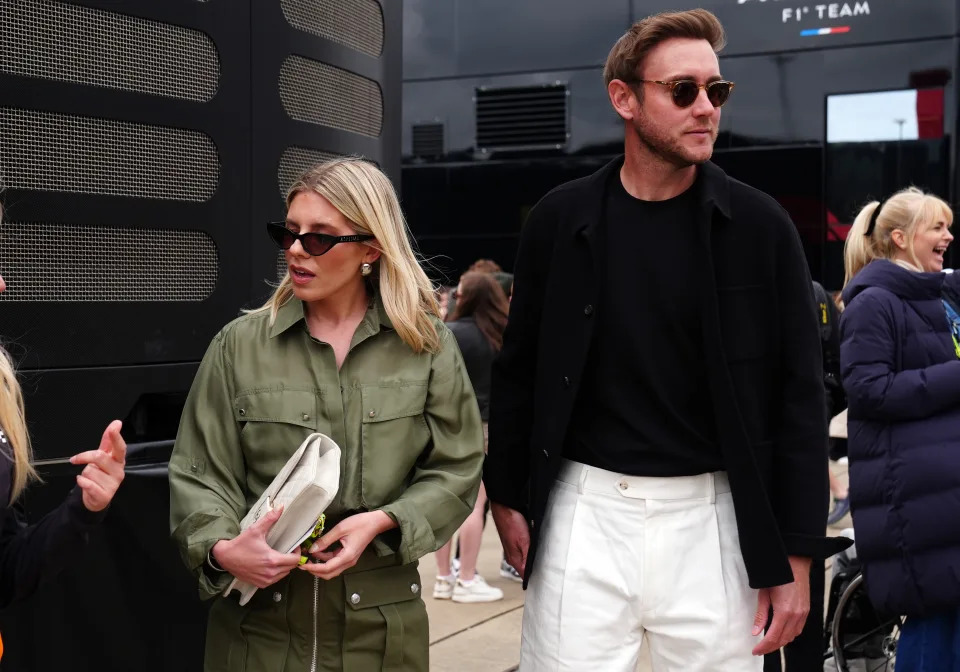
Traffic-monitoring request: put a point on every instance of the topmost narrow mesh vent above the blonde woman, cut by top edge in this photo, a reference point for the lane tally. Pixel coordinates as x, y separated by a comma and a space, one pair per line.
357, 24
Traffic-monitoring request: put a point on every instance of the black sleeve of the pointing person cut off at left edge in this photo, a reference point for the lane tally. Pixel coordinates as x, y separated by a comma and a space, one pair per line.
31, 555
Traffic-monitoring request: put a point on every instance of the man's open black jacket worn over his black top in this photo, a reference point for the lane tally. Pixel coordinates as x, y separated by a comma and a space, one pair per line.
763, 361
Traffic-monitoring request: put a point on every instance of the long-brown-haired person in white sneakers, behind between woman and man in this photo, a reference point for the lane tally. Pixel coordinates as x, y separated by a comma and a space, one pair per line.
477, 324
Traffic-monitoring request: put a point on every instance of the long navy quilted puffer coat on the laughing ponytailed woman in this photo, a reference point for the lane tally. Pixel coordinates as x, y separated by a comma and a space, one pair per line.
902, 378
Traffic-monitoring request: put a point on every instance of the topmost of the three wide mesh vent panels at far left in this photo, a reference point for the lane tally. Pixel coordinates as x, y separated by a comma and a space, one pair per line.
71, 43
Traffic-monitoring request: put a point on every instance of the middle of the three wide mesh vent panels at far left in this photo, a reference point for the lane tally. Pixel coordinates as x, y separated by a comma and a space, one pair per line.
61, 152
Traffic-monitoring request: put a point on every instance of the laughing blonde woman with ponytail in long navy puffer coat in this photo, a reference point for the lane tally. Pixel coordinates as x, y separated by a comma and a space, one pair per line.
901, 370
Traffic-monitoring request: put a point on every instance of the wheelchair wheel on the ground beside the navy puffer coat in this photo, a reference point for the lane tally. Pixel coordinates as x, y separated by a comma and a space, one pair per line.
861, 639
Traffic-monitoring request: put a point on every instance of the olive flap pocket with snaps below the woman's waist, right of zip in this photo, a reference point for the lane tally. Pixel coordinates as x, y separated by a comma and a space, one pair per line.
385, 621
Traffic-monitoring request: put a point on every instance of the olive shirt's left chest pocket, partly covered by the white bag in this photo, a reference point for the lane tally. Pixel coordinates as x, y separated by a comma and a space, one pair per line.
273, 424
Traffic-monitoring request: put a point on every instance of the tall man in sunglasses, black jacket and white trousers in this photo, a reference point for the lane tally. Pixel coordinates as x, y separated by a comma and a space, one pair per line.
657, 421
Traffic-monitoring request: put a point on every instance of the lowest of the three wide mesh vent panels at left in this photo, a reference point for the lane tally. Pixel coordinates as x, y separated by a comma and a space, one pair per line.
58, 262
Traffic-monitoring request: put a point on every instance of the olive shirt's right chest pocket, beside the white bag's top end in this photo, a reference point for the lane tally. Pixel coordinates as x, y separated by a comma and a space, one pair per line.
394, 434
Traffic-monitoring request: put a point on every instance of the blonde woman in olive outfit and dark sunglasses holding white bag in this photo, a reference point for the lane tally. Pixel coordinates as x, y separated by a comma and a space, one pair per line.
349, 345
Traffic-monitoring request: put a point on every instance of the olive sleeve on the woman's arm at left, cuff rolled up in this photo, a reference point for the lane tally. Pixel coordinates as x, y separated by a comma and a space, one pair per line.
206, 469
